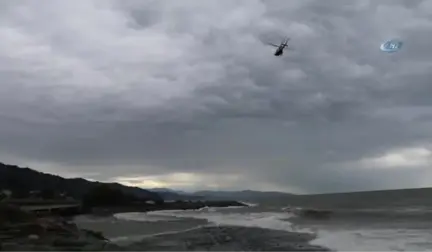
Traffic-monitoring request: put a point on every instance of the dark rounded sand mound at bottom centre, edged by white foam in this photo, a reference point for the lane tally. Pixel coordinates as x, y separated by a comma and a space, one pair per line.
228, 239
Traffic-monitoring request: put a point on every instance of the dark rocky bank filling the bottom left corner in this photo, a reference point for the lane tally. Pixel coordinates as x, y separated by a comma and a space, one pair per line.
22, 231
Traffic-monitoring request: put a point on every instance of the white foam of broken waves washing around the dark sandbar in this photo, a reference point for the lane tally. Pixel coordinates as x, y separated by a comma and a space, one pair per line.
374, 240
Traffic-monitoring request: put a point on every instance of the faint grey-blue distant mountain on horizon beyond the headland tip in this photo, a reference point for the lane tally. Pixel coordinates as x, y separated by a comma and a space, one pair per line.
246, 195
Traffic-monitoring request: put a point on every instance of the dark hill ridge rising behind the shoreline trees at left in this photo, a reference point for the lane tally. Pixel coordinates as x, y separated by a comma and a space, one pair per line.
22, 180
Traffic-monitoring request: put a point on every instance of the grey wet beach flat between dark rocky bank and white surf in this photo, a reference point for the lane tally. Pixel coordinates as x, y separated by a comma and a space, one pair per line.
195, 235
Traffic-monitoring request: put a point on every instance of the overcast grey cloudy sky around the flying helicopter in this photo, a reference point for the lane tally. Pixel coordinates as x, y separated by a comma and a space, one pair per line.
186, 94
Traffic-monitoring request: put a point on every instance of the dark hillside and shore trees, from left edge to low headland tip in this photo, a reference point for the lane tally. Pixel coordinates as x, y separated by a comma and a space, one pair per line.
24, 186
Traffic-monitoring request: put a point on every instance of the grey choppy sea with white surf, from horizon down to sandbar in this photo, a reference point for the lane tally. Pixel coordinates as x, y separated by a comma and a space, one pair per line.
397, 221
